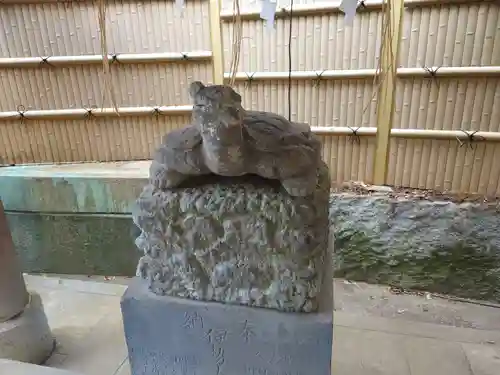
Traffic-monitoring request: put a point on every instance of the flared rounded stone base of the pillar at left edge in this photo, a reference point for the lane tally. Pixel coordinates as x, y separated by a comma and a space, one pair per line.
27, 337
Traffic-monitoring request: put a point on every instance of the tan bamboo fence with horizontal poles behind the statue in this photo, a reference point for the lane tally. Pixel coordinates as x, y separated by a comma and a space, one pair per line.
432, 122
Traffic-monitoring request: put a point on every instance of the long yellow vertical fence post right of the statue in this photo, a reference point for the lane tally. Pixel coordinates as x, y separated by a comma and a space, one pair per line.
387, 91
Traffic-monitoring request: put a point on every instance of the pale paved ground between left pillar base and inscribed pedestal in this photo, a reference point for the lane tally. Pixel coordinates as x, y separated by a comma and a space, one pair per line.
86, 321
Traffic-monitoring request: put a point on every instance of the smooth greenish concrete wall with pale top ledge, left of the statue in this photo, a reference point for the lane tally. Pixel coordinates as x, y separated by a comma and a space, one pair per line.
74, 218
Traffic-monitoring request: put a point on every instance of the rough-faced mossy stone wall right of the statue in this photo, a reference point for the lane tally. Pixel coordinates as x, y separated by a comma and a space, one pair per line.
434, 246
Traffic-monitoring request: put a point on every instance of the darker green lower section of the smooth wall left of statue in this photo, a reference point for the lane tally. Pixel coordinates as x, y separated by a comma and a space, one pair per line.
79, 244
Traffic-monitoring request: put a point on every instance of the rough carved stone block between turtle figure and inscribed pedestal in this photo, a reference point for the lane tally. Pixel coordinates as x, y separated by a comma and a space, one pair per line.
235, 240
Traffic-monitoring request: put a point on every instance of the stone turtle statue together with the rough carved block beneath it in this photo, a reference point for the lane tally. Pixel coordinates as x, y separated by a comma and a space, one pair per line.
216, 223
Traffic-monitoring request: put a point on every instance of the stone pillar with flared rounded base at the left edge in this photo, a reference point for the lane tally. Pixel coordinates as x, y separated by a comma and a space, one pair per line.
24, 331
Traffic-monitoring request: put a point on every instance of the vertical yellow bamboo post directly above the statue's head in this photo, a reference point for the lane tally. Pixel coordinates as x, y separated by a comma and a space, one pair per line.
216, 41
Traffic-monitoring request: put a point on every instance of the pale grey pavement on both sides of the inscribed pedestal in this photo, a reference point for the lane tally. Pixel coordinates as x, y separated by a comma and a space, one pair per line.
374, 333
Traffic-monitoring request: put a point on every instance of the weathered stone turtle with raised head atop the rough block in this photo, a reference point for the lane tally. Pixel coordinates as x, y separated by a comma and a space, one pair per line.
228, 140
